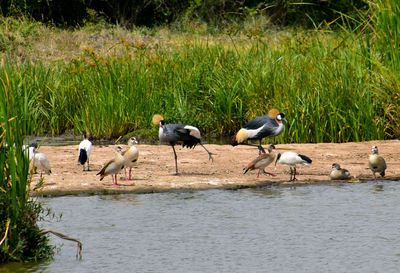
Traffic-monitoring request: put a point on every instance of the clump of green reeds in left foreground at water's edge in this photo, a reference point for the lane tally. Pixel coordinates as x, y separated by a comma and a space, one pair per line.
21, 238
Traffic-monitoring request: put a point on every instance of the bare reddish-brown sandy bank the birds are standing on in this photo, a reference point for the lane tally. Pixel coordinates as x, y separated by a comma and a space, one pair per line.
154, 171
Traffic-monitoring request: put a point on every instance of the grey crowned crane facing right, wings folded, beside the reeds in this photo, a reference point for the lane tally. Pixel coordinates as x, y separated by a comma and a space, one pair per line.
264, 126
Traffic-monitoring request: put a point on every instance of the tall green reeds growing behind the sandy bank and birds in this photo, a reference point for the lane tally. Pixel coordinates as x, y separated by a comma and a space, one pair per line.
328, 88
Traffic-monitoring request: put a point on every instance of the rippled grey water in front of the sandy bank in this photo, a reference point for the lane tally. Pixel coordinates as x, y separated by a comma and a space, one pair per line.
315, 228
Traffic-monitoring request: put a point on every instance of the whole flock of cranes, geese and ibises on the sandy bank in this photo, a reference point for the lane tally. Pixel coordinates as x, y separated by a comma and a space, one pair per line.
188, 136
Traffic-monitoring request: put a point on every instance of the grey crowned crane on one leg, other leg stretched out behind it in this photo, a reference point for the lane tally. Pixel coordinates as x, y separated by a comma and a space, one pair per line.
172, 134
